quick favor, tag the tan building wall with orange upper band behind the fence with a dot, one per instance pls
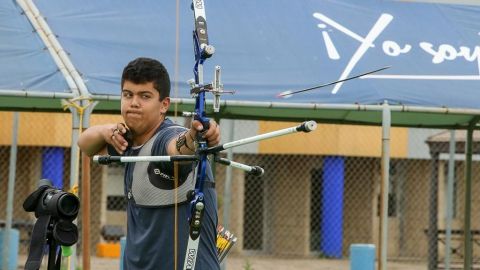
(288, 162)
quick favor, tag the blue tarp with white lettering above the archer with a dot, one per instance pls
(264, 47)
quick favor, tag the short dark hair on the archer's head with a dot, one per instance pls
(145, 70)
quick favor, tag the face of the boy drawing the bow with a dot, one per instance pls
(142, 109)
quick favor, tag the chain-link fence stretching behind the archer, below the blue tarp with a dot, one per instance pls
(320, 192)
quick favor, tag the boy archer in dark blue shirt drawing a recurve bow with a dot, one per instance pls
(155, 196)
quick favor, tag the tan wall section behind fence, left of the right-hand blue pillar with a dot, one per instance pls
(288, 204)
